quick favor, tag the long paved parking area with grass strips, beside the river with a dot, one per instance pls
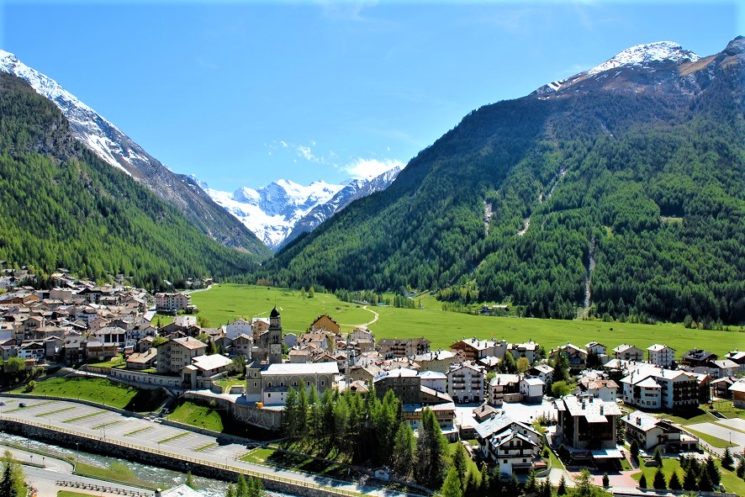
(151, 436)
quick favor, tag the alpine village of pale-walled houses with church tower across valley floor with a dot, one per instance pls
(517, 408)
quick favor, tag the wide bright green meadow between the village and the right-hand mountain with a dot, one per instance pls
(224, 303)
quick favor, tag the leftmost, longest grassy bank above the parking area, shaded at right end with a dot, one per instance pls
(98, 390)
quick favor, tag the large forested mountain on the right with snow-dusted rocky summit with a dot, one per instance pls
(622, 188)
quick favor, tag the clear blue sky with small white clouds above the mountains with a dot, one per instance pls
(242, 93)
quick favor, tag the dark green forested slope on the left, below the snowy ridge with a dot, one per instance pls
(60, 205)
